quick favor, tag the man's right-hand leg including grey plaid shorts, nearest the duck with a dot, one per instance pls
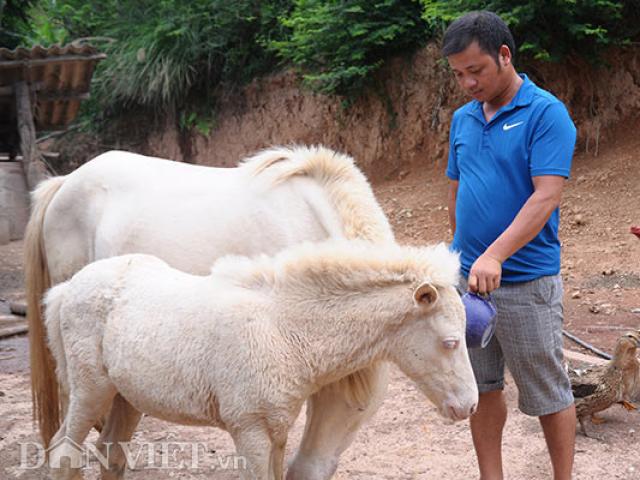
(532, 345)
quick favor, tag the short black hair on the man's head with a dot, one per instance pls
(484, 27)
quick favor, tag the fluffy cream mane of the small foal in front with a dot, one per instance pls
(341, 265)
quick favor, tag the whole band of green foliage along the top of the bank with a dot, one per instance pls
(170, 54)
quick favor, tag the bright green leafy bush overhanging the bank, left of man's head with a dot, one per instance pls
(339, 44)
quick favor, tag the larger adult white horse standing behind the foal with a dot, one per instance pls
(189, 215)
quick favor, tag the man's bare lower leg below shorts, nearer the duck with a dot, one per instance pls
(560, 433)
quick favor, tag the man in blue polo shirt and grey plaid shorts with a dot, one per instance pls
(510, 153)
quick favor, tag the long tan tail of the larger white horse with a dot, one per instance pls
(44, 385)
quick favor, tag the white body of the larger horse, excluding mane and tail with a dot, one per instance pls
(188, 215)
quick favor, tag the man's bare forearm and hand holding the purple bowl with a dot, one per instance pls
(486, 272)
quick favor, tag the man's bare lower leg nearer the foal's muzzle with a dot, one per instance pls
(486, 429)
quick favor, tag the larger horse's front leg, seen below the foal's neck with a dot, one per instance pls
(334, 415)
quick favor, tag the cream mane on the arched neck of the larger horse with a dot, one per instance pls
(347, 188)
